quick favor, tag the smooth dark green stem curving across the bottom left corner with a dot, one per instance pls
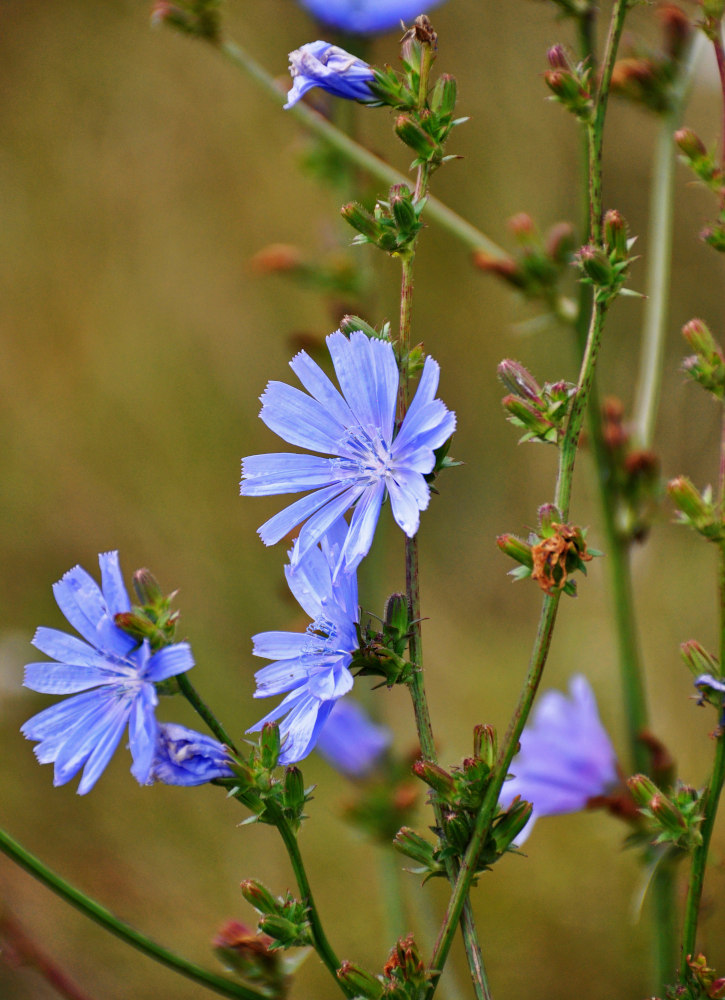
(218, 984)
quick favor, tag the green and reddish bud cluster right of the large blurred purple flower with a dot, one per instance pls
(673, 819)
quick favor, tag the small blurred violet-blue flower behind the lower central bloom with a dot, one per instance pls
(350, 742)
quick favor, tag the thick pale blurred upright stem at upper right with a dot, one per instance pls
(659, 242)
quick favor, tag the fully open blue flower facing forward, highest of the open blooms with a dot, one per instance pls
(356, 427)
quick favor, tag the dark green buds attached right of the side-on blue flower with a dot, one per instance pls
(380, 652)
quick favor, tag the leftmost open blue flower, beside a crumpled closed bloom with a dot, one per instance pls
(115, 672)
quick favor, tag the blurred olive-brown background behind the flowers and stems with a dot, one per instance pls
(139, 174)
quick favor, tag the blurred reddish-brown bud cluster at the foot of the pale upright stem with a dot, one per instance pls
(633, 475)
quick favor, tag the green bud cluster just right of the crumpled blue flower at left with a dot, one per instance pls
(270, 799)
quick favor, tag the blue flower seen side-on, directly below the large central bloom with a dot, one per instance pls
(311, 665)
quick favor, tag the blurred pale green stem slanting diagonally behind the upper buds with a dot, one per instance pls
(471, 237)
